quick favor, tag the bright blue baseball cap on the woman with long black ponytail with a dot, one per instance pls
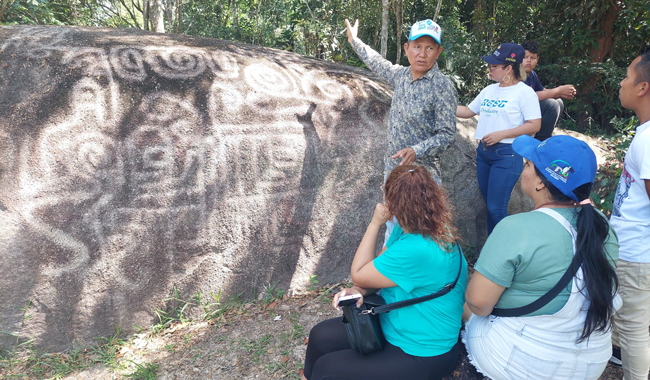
(565, 161)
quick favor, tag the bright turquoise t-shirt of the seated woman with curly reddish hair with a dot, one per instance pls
(420, 267)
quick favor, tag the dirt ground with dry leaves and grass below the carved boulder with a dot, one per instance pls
(247, 340)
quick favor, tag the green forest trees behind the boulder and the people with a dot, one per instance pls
(587, 43)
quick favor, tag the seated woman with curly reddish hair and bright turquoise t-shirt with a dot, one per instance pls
(421, 340)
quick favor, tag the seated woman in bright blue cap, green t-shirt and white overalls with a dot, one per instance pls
(544, 286)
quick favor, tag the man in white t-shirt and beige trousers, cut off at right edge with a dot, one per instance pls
(631, 221)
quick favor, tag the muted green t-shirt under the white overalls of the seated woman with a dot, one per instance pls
(528, 253)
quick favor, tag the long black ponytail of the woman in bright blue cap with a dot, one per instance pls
(599, 275)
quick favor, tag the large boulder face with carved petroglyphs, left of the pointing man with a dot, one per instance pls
(139, 167)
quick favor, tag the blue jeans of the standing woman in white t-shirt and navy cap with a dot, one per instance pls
(497, 169)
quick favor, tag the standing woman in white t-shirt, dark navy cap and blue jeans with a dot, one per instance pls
(506, 109)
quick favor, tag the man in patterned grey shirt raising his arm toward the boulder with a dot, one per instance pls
(422, 119)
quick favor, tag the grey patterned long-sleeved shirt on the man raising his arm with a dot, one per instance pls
(422, 113)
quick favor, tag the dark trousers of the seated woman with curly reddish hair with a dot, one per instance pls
(329, 357)
